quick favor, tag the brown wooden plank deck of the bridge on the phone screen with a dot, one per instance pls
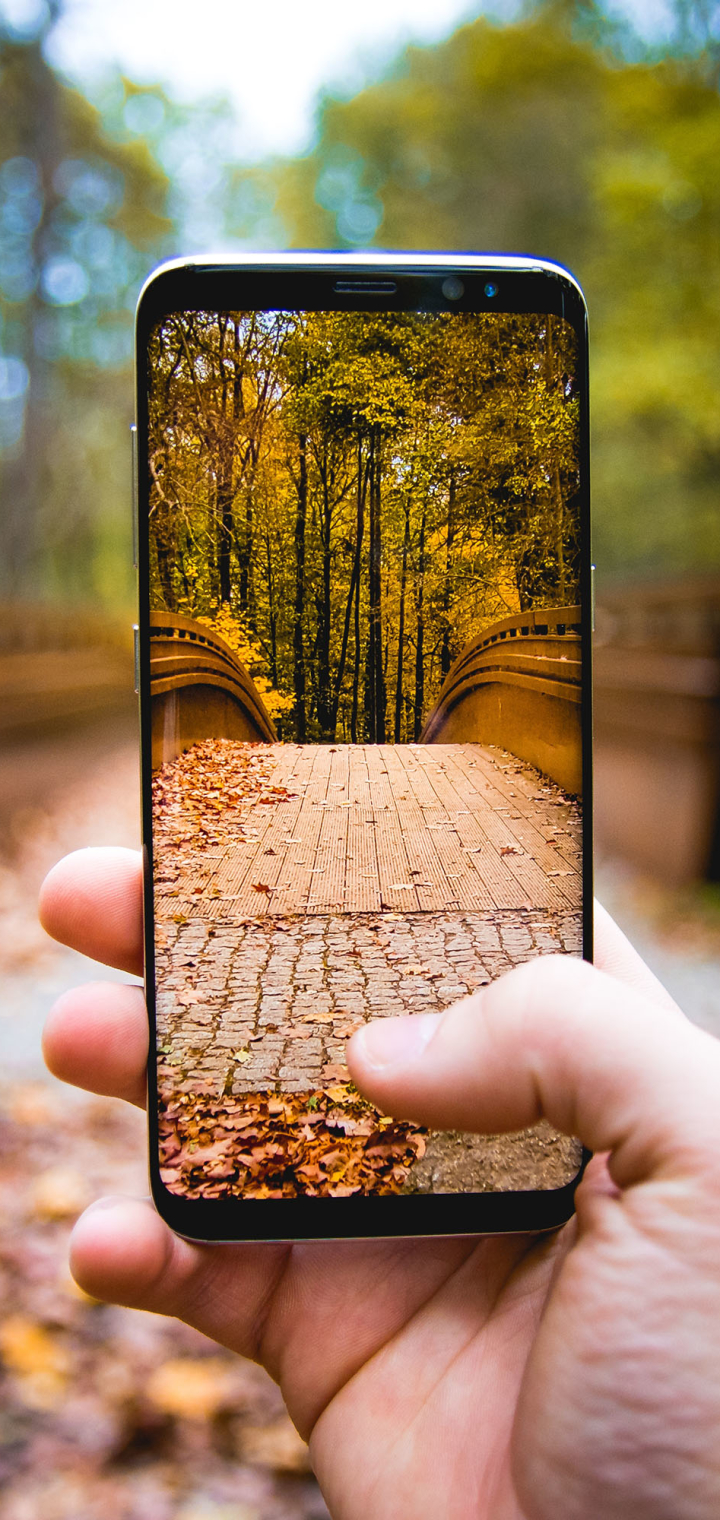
(368, 828)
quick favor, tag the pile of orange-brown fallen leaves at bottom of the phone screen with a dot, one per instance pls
(324, 1144)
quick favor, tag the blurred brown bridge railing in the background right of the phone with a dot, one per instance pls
(657, 717)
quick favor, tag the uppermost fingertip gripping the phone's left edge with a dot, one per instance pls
(93, 902)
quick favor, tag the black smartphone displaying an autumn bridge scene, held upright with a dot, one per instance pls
(364, 653)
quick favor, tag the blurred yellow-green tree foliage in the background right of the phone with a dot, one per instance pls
(540, 138)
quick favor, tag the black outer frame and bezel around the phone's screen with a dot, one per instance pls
(308, 282)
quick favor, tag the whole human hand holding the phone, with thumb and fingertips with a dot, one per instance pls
(558, 1378)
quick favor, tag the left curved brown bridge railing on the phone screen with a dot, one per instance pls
(200, 689)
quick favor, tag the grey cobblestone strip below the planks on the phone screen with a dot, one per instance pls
(262, 1005)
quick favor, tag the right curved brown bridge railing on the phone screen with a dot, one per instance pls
(519, 686)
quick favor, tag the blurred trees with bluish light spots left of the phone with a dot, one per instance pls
(81, 220)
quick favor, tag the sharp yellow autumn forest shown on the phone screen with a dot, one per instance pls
(350, 498)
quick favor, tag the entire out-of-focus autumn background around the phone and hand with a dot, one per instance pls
(134, 133)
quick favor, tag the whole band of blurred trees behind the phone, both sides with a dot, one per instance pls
(560, 135)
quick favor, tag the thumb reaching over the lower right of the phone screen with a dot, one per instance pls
(563, 1042)
